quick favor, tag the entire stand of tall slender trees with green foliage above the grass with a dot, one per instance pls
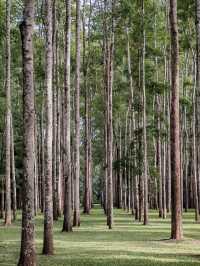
(110, 109)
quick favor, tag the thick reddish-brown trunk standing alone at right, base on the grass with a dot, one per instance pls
(176, 217)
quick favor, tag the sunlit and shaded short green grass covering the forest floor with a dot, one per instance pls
(129, 243)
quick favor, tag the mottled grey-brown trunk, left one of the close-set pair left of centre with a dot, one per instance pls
(67, 224)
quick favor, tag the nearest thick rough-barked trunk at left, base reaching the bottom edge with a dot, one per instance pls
(27, 254)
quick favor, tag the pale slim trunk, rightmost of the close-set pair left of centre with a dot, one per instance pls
(76, 221)
